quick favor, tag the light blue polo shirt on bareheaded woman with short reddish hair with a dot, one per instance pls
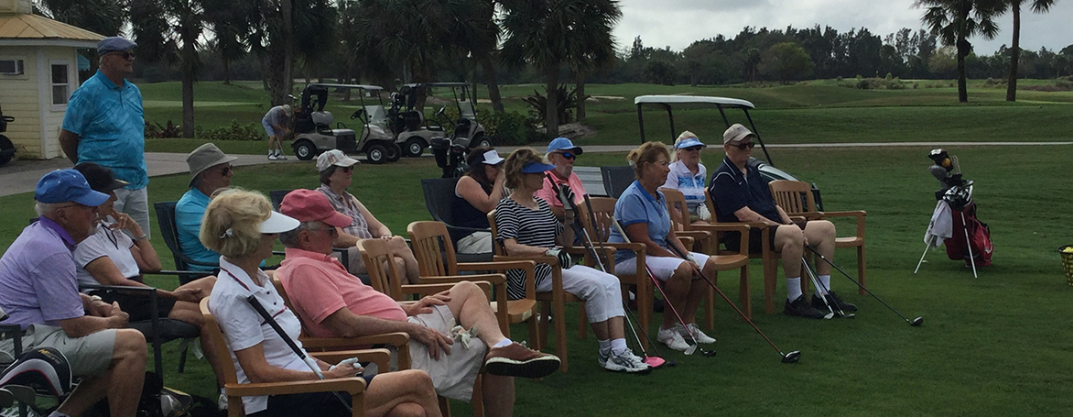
(637, 206)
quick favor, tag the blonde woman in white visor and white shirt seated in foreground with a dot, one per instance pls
(243, 229)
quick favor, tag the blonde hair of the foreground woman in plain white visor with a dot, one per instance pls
(232, 222)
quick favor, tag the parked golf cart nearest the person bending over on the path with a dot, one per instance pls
(314, 133)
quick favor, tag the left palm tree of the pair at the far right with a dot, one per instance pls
(954, 22)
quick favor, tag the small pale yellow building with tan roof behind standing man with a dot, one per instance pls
(39, 71)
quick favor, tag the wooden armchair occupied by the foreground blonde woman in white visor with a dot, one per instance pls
(236, 392)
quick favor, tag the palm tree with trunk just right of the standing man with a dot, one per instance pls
(168, 31)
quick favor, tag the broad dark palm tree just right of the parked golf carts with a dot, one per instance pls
(552, 34)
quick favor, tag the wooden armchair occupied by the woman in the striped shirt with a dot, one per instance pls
(554, 301)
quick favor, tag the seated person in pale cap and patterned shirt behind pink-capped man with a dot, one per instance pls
(336, 172)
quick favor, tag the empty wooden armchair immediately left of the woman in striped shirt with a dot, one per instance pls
(436, 258)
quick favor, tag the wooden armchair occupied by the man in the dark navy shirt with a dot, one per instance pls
(770, 260)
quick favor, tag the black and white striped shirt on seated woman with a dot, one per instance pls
(532, 228)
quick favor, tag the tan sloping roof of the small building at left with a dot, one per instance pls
(35, 31)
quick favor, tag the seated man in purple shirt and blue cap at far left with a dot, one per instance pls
(39, 290)
